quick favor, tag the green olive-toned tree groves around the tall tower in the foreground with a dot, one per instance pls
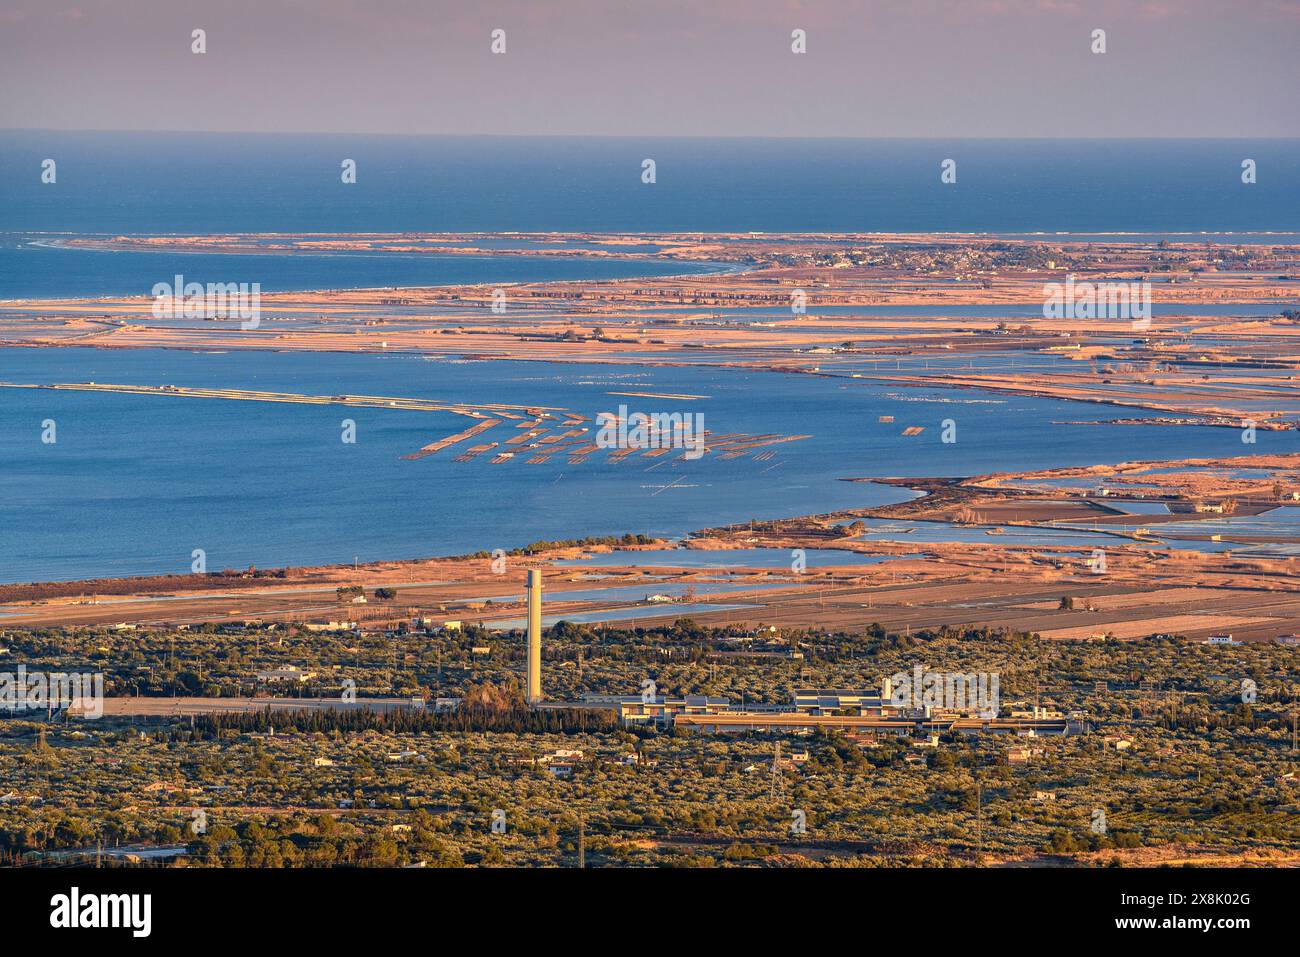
(1207, 774)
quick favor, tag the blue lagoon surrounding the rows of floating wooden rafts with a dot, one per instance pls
(136, 483)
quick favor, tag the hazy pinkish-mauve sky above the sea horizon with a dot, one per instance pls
(904, 68)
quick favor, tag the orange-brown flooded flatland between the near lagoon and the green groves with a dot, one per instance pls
(887, 566)
